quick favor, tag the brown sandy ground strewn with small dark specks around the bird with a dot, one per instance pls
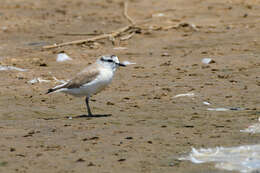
(148, 128)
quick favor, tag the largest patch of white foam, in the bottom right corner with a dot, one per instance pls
(242, 158)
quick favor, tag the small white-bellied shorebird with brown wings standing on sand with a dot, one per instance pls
(91, 80)
